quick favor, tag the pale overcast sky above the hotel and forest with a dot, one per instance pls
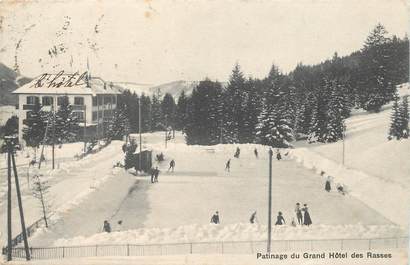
(160, 41)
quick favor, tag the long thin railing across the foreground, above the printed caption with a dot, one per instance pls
(232, 247)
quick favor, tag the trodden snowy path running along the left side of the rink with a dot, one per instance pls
(70, 183)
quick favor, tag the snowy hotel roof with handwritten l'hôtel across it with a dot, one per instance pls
(62, 83)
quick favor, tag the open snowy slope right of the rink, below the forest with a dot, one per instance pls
(376, 170)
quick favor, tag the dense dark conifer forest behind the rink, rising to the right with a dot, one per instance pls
(311, 102)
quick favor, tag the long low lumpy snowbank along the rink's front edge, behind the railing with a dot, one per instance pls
(232, 232)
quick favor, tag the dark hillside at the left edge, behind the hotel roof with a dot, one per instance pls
(9, 81)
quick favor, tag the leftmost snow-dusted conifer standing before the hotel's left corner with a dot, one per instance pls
(35, 127)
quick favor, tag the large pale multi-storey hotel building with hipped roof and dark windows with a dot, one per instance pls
(92, 99)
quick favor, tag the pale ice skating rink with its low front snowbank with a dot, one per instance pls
(179, 207)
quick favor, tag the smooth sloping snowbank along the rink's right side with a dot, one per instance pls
(388, 198)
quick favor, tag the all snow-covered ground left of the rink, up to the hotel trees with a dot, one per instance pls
(71, 182)
